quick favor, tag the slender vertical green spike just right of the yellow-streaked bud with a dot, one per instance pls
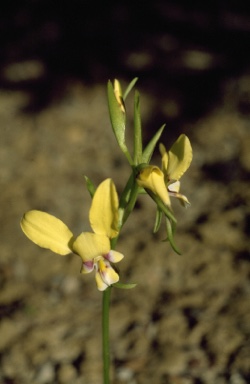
(137, 130)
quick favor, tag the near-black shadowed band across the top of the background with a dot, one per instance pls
(96, 40)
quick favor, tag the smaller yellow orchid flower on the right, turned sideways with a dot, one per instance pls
(165, 182)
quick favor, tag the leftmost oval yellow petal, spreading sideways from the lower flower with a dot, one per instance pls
(47, 231)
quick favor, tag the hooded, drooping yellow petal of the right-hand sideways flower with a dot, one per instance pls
(152, 178)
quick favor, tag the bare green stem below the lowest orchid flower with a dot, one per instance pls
(105, 335)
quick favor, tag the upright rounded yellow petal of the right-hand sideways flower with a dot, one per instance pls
(179, 158)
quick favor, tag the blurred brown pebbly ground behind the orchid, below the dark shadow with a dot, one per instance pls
(188, 320)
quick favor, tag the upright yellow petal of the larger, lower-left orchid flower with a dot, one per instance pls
(103, 214)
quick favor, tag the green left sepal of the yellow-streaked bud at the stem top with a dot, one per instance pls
(118, 120)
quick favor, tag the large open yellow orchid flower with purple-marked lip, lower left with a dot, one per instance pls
(94, 248)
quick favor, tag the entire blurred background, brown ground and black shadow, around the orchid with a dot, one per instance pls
(187, 322)
